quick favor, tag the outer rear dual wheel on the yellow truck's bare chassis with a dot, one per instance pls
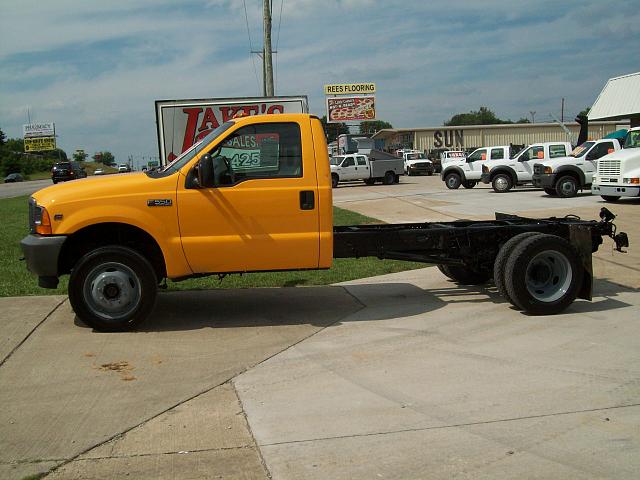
(543, 274)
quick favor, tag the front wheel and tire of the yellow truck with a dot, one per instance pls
(113, 288)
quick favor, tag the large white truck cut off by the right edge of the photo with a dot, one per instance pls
(618, 174)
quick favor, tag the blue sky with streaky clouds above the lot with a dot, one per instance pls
(96, 68)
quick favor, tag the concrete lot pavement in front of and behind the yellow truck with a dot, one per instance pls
(402, 376)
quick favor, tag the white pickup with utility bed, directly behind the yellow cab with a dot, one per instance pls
(359, 167)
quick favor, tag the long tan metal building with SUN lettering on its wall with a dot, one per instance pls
(469, 137)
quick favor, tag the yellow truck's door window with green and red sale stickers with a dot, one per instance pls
(264, 150)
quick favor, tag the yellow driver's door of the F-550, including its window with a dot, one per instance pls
(262, 213)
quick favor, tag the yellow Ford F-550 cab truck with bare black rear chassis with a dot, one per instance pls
(255, 195)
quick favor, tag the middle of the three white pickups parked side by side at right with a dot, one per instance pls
(503, 175)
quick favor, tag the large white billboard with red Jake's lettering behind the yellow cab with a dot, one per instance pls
(181, 123)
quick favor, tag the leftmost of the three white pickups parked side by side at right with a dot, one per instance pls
(467, 171)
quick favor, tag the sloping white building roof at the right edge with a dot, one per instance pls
(620, 98)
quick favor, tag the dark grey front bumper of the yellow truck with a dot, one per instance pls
(42, 254)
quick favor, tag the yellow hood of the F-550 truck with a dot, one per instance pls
(94, 188)
